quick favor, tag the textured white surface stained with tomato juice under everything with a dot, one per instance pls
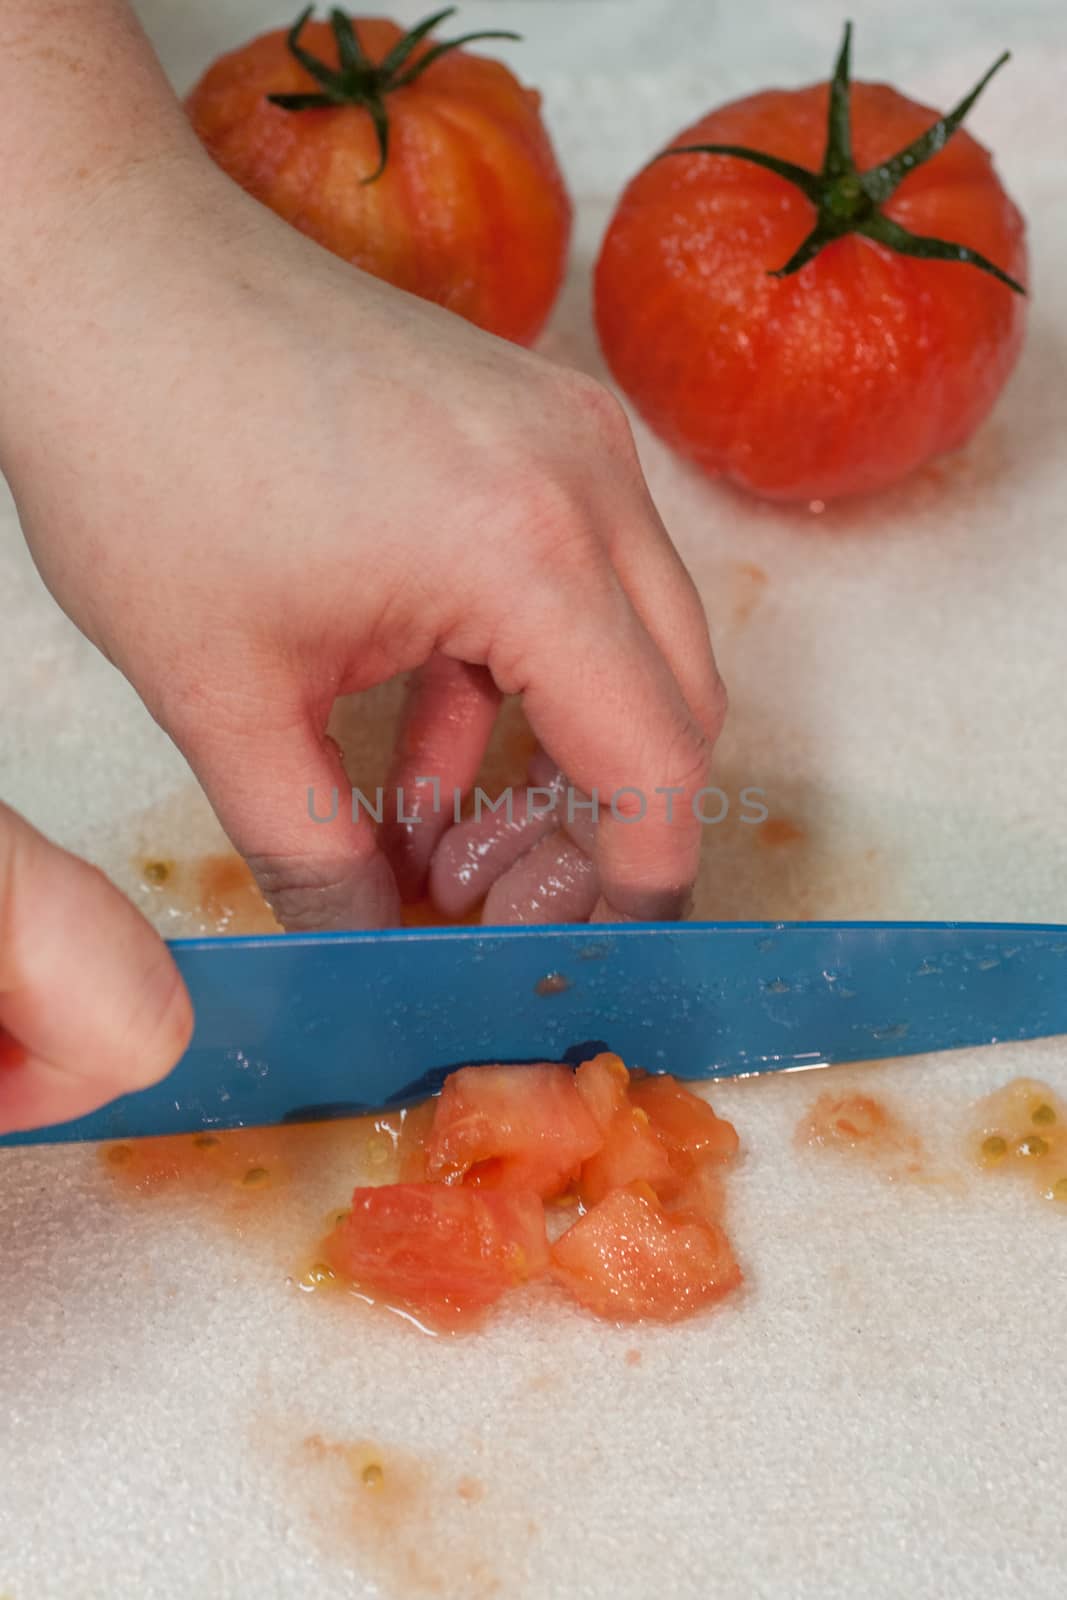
(884, 1412)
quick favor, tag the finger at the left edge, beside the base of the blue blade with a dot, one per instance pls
(92, 1004)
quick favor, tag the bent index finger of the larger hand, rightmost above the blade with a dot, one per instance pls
(613, 716)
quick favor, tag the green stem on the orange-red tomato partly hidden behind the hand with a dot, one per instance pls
(358, 81)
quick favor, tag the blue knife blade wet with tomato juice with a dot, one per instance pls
(305, 1026)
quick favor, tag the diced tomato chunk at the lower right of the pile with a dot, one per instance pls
(628, 1260)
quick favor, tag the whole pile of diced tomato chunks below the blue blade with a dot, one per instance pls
(641, 1161)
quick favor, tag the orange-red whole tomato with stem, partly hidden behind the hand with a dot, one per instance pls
(415, 161)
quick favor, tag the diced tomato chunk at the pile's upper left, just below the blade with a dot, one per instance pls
(513, 1129)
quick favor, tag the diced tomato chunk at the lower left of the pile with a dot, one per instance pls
(442, 1252)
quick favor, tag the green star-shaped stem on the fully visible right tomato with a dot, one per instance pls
(849, 201)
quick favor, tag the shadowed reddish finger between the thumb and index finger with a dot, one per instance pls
(446, 729)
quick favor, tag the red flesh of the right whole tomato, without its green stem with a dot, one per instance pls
(844, 377)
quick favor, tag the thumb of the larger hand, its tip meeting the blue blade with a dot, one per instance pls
(282, 796)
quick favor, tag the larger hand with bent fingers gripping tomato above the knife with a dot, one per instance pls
(260, 479)
